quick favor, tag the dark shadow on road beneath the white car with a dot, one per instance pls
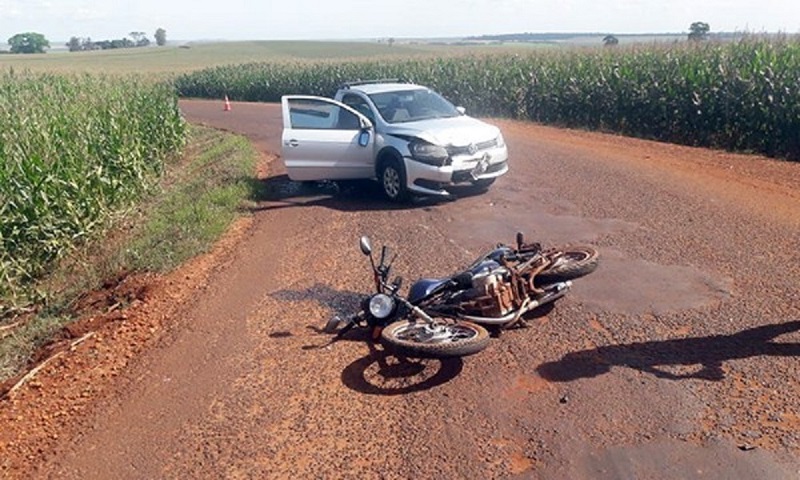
(353, 195)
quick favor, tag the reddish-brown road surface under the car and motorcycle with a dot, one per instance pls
(678, 358)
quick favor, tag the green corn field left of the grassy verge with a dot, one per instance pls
(72, 150)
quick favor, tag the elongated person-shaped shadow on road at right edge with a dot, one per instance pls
(656, 357)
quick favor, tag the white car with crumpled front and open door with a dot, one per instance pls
(406, 136)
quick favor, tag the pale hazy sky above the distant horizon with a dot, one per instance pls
(346, 19)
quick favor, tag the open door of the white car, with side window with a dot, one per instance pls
(325, 140)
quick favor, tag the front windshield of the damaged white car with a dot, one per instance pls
(412, 106)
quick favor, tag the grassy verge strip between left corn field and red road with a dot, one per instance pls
(197, 199)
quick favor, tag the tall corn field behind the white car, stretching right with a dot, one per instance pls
(742, 96)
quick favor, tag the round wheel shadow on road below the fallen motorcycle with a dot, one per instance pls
(381, 373)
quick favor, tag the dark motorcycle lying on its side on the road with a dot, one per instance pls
(445, 317)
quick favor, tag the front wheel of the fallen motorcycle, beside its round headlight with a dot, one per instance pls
(421, 340)
